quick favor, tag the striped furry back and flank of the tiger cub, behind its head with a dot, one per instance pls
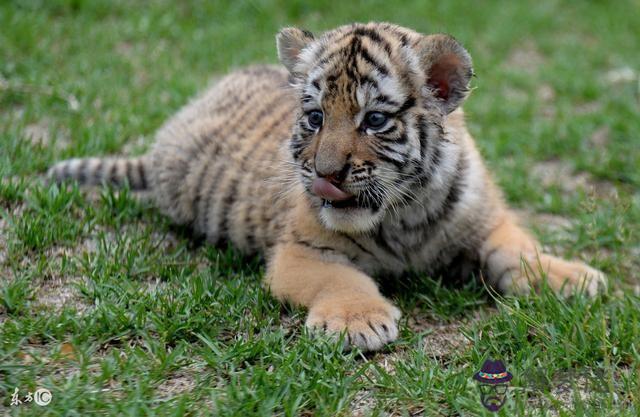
(217, 163)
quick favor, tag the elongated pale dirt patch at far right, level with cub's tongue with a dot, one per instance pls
(560, 174)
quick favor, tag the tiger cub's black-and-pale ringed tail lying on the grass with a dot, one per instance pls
(95, 171)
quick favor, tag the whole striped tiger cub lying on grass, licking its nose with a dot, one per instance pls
(352, 161)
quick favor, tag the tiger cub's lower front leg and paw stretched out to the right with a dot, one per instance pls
(514, 263)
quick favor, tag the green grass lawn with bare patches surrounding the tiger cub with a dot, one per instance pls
(158, 324)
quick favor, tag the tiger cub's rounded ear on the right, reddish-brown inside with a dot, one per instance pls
(448, 69)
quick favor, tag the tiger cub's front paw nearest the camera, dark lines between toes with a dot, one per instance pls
(370, 322)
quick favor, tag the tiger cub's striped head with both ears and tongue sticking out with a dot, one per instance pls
(373, 97)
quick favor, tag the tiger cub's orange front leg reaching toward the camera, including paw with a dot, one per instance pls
(338, 296)
